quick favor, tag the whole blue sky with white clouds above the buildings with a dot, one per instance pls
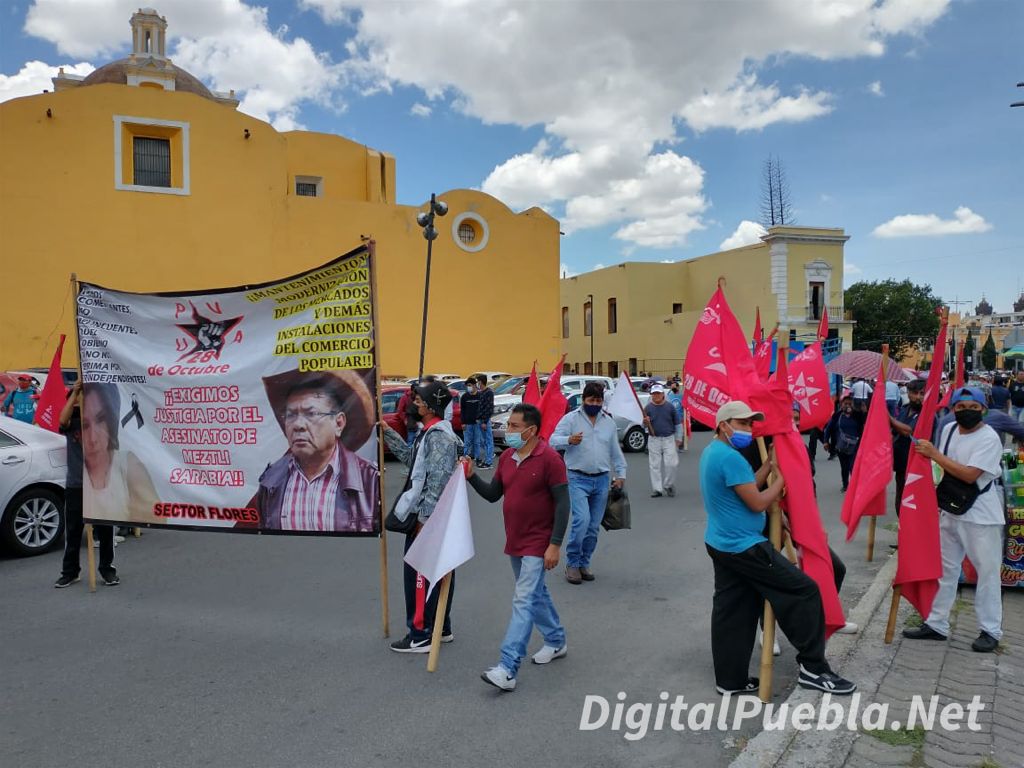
(643, 126)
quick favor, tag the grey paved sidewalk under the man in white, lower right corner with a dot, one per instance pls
(955, 673)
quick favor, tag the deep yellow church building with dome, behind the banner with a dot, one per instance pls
(140, 179)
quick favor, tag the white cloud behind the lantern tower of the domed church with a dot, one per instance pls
(227, 44)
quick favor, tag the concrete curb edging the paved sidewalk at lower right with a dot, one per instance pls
(864, 658)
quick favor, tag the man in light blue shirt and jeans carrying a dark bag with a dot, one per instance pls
(590, 440)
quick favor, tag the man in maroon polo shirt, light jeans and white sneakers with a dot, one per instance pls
(532, 478)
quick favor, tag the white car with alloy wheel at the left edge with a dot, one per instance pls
(33, 472)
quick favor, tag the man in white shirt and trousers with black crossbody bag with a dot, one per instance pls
(969, 451)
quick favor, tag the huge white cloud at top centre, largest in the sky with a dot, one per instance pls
(612, 84)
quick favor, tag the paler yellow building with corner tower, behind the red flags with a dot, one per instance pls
(644, 315)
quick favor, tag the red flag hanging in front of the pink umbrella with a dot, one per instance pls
(874, 467)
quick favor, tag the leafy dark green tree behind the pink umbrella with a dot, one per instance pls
(900, 314)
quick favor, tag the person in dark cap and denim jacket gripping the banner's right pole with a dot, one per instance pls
(432, 460)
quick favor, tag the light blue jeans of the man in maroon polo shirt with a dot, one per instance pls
(532, 607)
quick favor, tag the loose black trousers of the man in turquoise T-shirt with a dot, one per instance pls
(743, 582)
